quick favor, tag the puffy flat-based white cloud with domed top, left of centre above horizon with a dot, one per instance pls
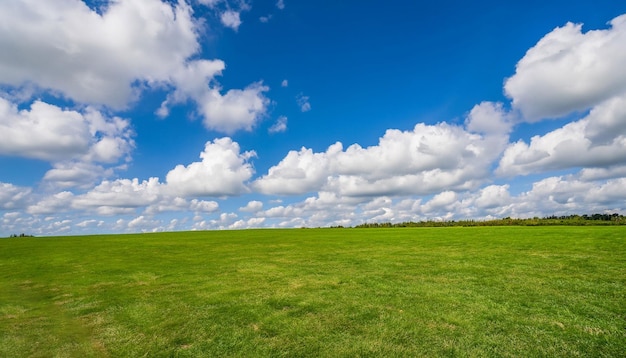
(223, 171)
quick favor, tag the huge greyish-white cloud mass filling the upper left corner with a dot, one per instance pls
(108, 58)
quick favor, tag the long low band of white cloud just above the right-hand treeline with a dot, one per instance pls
(551, 196)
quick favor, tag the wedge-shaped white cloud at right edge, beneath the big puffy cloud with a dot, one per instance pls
(598, 140)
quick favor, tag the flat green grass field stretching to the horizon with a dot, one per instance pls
(498, 291)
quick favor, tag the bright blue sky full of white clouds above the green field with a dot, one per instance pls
(154, 115)
